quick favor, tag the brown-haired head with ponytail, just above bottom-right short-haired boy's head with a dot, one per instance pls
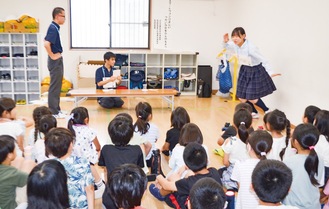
(260, 142)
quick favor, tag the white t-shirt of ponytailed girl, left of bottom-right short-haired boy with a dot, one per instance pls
(242, 171)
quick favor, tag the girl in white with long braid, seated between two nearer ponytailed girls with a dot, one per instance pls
(276, 123)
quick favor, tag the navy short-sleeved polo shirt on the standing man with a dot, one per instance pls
(54, 38)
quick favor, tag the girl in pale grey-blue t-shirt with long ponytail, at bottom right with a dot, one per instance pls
(307, 169)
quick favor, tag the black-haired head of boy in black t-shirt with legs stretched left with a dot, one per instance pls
(195, 156)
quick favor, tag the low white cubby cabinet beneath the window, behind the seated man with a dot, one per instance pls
(162, 70)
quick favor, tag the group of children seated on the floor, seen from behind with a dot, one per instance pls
(286, 169)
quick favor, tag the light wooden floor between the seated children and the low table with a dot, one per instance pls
(210, 114)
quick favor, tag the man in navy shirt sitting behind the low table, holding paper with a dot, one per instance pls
(105, 79)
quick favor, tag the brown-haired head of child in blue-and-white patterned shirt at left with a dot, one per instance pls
(59, 142)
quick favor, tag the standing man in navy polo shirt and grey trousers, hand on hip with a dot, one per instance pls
(55, 61)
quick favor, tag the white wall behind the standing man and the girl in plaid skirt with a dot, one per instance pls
(292, 35)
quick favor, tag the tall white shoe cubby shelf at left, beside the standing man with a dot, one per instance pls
(19, 67)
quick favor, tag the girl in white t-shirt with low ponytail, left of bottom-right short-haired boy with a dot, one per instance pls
(259, 143)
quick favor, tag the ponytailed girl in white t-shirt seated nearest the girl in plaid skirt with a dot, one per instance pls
(235, 147)
